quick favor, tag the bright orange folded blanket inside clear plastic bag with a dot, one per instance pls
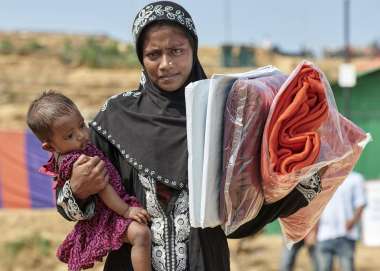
(293, 139)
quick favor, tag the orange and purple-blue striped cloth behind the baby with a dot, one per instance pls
(21, 185)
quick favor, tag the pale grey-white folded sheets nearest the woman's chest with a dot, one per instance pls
(205, 107)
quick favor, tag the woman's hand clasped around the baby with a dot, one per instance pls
(89, 176)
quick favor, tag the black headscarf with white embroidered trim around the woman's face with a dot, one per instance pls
(148, 126)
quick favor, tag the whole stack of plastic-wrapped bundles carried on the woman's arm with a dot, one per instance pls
(278, 132)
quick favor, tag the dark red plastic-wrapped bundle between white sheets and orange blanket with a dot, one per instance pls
(246, 111)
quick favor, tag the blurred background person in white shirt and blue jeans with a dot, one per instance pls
(338, 227)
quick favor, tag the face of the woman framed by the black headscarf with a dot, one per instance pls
(167, 57)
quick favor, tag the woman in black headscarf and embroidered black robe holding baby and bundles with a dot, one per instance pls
(143, 132)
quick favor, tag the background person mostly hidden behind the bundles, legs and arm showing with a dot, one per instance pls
(290, 254)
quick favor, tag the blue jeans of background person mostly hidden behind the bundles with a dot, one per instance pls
(289, 257)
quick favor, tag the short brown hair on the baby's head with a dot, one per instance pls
(46, 109)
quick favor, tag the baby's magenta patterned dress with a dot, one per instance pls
(91, 239)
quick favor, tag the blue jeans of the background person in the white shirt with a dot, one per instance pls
(342, 247)
